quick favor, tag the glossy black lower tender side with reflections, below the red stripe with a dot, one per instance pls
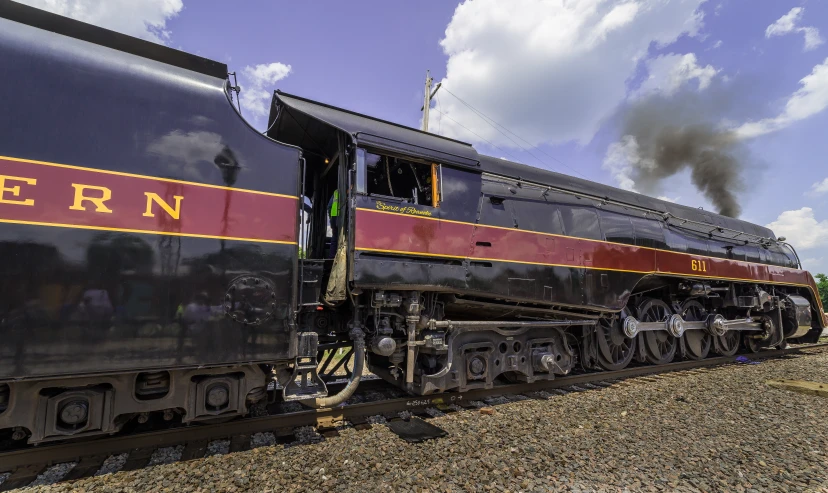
(130, 303)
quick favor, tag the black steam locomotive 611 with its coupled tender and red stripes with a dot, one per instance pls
(162, 257)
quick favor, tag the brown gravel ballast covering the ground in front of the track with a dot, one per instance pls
(716, 430)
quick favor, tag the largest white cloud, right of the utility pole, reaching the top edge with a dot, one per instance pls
(548, 70)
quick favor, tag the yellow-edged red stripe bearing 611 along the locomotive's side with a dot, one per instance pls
(402, 233)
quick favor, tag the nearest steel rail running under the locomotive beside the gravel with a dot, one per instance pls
(70, 452)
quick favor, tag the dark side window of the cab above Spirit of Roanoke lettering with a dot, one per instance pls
(399, 178)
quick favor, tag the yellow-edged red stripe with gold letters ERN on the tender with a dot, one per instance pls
(57, 195)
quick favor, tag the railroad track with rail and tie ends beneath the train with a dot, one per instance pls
(25, 464)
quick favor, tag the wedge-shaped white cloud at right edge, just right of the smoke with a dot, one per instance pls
(810, 99)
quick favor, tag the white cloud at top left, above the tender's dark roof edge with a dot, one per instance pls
(145, 19)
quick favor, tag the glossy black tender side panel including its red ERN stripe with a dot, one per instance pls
(83, 290)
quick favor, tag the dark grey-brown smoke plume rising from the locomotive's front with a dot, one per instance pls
(662, 137)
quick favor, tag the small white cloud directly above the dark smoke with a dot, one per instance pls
(669, 73)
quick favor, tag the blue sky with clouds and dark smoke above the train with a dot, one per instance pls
(591, 88)
